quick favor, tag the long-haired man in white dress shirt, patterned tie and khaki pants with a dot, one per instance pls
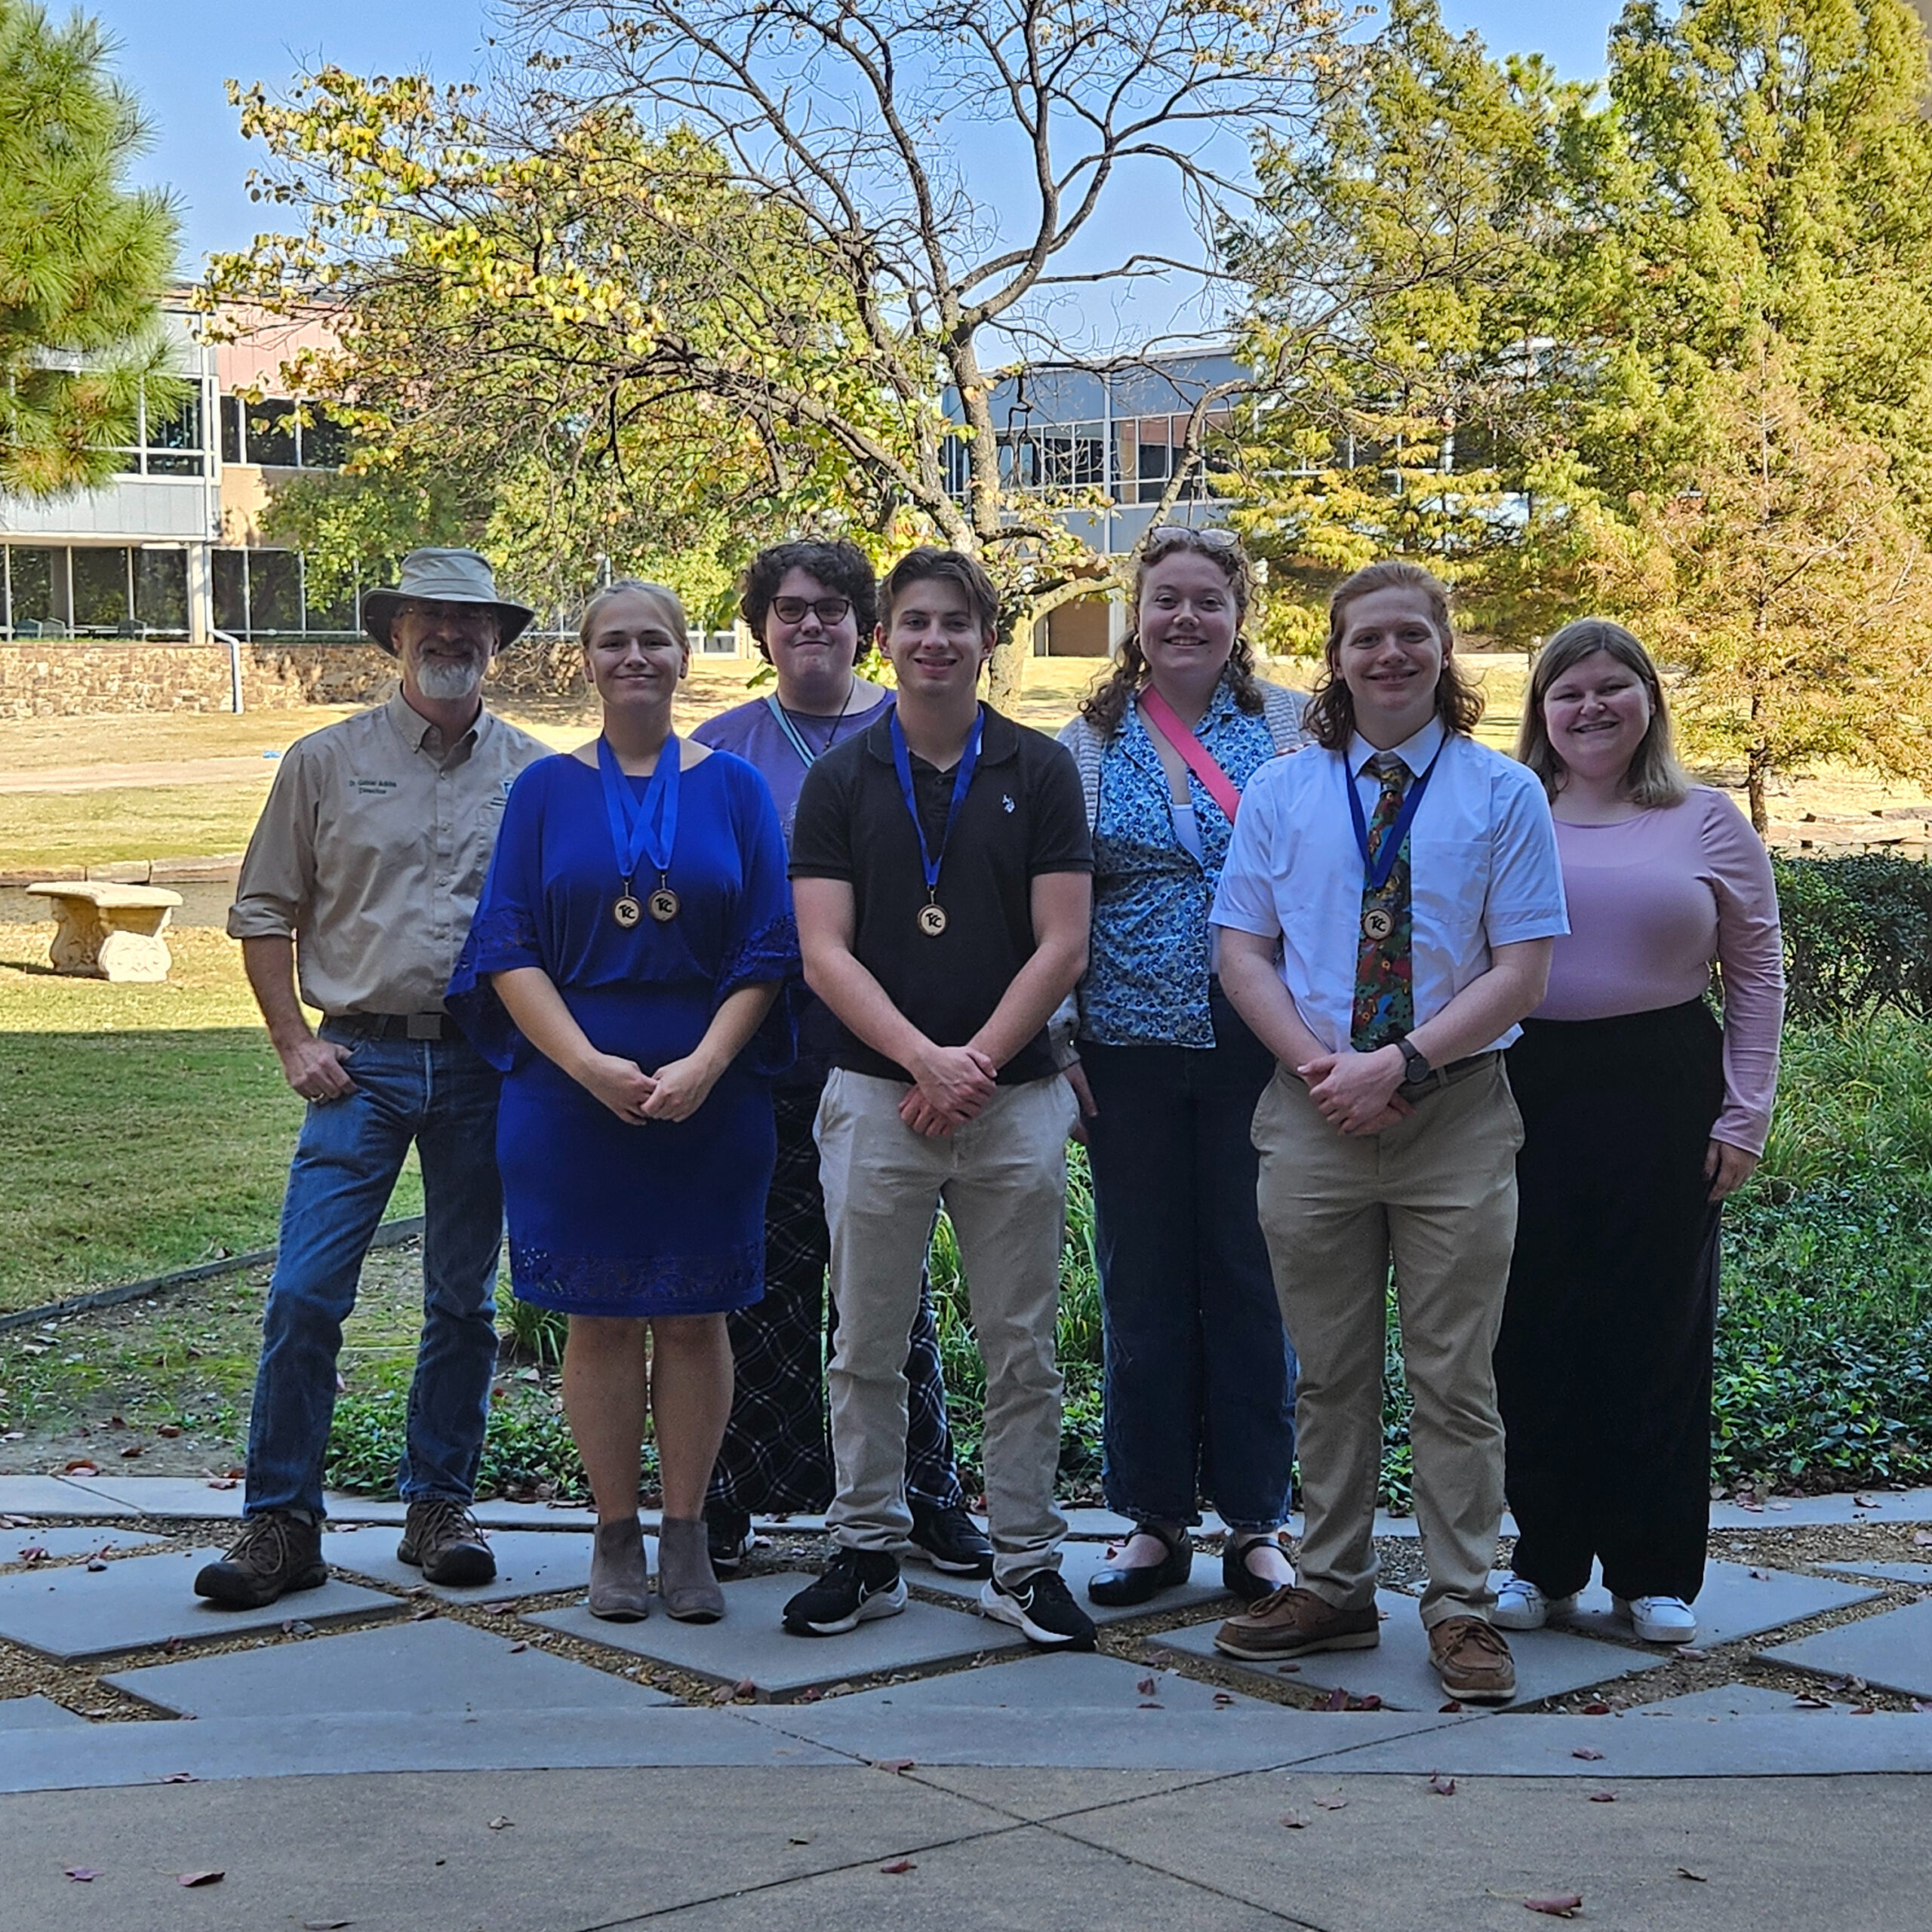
(1388, 911)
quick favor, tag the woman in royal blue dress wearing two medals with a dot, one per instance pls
(637, 930)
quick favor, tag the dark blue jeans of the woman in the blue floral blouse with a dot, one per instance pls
(1201, 1375)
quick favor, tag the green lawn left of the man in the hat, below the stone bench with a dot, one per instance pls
(142, 1127)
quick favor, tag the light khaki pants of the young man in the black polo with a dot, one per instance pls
(1004, 1181)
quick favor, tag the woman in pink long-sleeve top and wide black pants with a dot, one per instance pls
(1641, 1114)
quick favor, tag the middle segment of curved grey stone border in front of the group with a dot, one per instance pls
(1234, 1740)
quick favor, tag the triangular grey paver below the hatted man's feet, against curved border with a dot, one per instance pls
(440, 1666)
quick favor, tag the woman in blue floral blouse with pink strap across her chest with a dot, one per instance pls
(1201, 1377)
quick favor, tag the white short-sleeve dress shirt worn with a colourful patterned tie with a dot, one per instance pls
(1483, 859)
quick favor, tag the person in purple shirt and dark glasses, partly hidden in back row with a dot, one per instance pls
(810, 606)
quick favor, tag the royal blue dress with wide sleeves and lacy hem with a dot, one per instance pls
(606, 1218)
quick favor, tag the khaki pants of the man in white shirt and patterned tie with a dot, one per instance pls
(1435, 1195)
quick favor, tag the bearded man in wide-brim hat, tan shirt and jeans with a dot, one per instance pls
(358, 888)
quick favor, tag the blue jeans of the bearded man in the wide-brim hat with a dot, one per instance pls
(443, 1096)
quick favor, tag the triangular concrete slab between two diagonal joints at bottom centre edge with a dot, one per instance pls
(988, 1887)
